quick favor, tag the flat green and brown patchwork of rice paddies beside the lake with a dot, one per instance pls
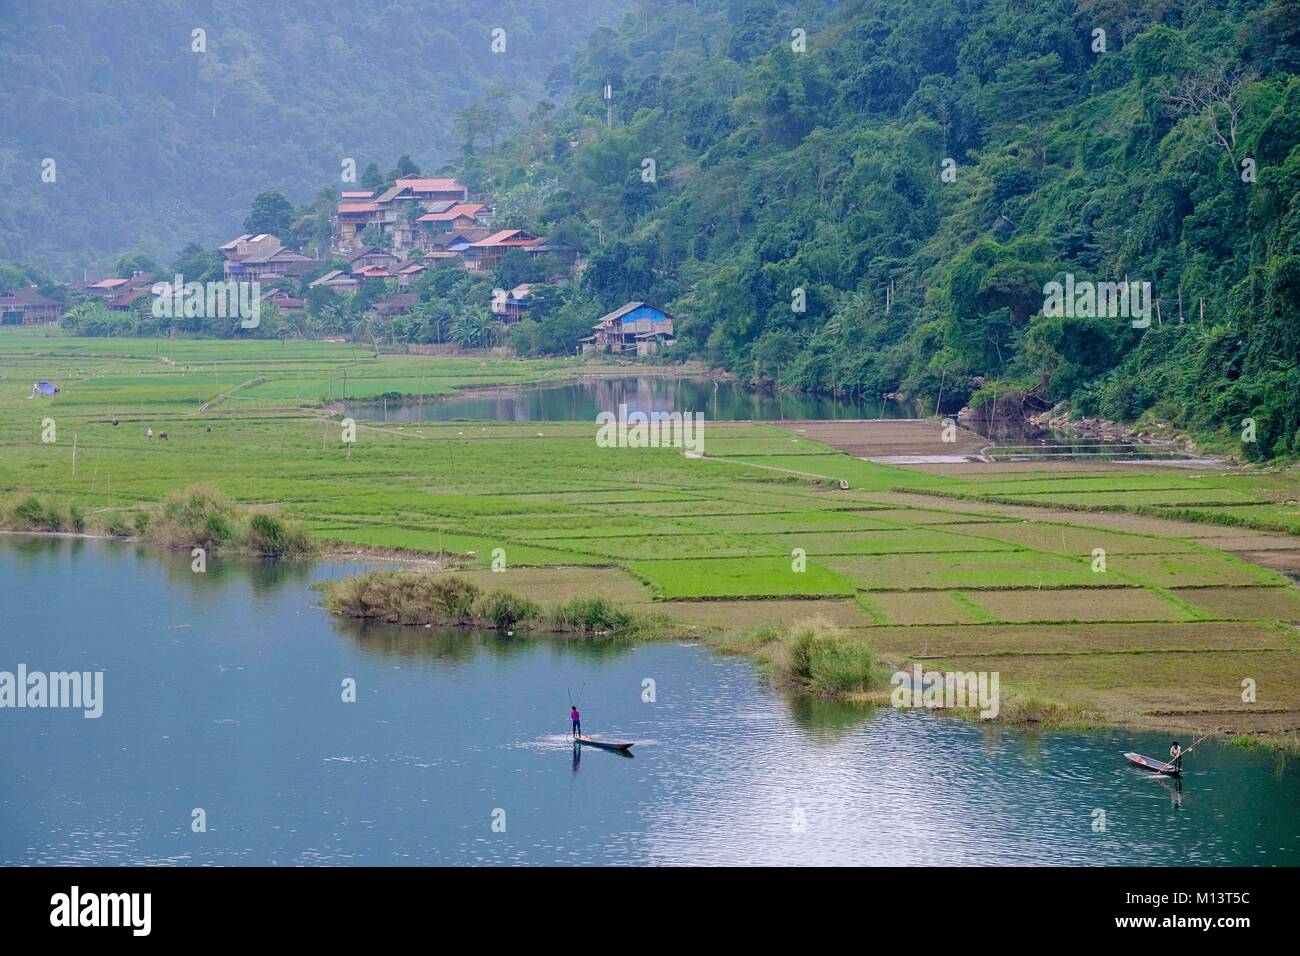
(1125, 594)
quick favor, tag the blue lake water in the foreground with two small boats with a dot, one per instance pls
(223, 691)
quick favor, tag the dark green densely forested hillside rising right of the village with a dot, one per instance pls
(787, 198)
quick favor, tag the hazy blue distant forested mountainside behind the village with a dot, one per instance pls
(158, 144)
